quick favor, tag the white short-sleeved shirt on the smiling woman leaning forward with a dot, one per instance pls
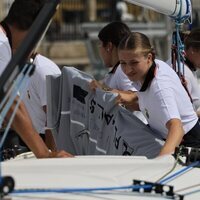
(166, 99)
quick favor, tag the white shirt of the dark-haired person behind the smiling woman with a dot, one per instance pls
(118, 80)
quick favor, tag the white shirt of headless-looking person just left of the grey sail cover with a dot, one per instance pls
(35, 95)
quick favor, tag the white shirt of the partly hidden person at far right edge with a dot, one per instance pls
(192, 85)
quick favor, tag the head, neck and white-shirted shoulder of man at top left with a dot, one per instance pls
(15, 27)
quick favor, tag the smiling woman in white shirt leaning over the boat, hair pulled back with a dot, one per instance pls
(162, 98)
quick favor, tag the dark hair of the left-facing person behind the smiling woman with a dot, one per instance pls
(113, 32)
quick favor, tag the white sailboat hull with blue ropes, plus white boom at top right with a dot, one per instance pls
(109, 176)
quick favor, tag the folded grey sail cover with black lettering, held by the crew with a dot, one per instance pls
(85, 122)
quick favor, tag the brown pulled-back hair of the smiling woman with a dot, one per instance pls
(138, 42)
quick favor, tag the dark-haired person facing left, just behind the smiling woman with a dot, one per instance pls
(116, 81)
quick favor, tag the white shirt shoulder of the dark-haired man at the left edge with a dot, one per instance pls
(5, 50)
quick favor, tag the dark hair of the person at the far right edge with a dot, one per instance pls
(193, 40)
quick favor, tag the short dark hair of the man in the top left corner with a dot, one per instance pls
(22, 13)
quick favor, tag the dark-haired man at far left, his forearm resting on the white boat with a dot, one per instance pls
(13, 29)
